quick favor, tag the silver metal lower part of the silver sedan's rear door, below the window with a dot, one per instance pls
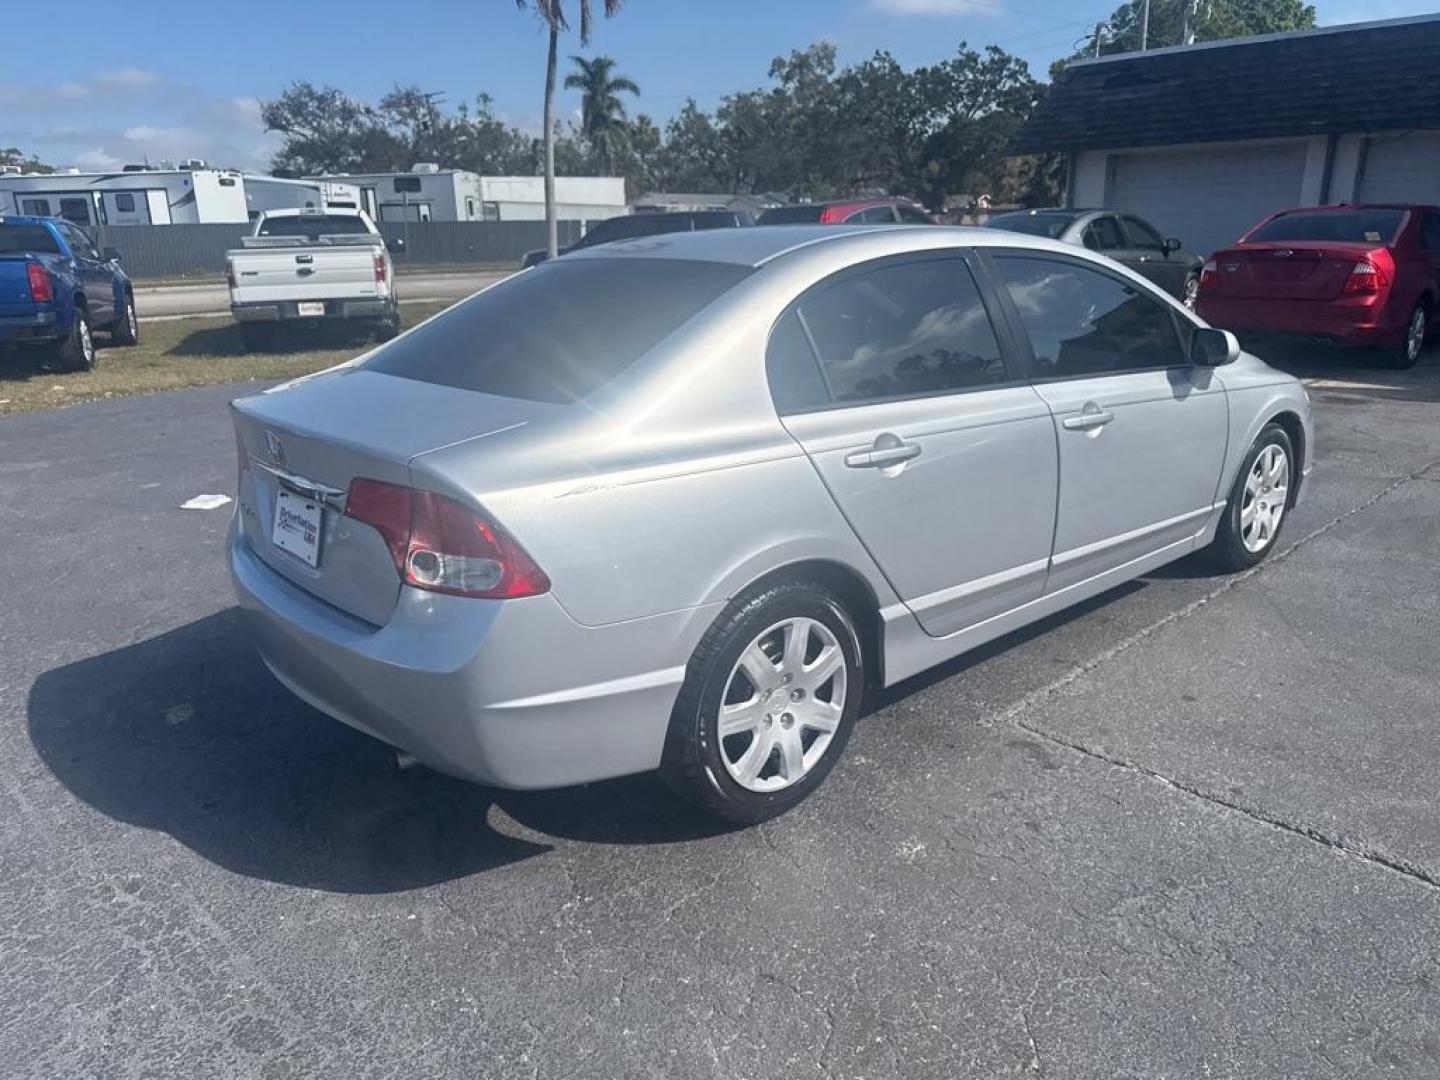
(963, 529)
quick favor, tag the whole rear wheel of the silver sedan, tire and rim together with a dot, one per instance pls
(768, 703)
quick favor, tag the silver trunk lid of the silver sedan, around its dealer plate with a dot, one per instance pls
(312, 438)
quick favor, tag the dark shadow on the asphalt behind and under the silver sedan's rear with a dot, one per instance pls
(189, 734)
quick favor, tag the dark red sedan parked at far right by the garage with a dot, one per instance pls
(1349, 276)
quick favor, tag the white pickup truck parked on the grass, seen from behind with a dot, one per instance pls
(306, 267)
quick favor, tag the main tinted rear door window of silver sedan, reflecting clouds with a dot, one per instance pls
(904, 330)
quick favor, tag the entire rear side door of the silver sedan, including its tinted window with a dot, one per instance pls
(892, 379)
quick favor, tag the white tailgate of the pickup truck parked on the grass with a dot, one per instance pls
(306, 273)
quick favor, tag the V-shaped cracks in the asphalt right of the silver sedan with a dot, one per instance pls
(1014, 714)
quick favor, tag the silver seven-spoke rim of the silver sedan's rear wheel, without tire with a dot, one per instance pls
(783, 705)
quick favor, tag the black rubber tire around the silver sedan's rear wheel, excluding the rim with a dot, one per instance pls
(692, 762)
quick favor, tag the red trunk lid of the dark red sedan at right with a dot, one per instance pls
(1295, 270)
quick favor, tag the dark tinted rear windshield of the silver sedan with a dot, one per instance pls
(559, 332)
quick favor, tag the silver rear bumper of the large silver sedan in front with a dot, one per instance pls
(510, 693)
